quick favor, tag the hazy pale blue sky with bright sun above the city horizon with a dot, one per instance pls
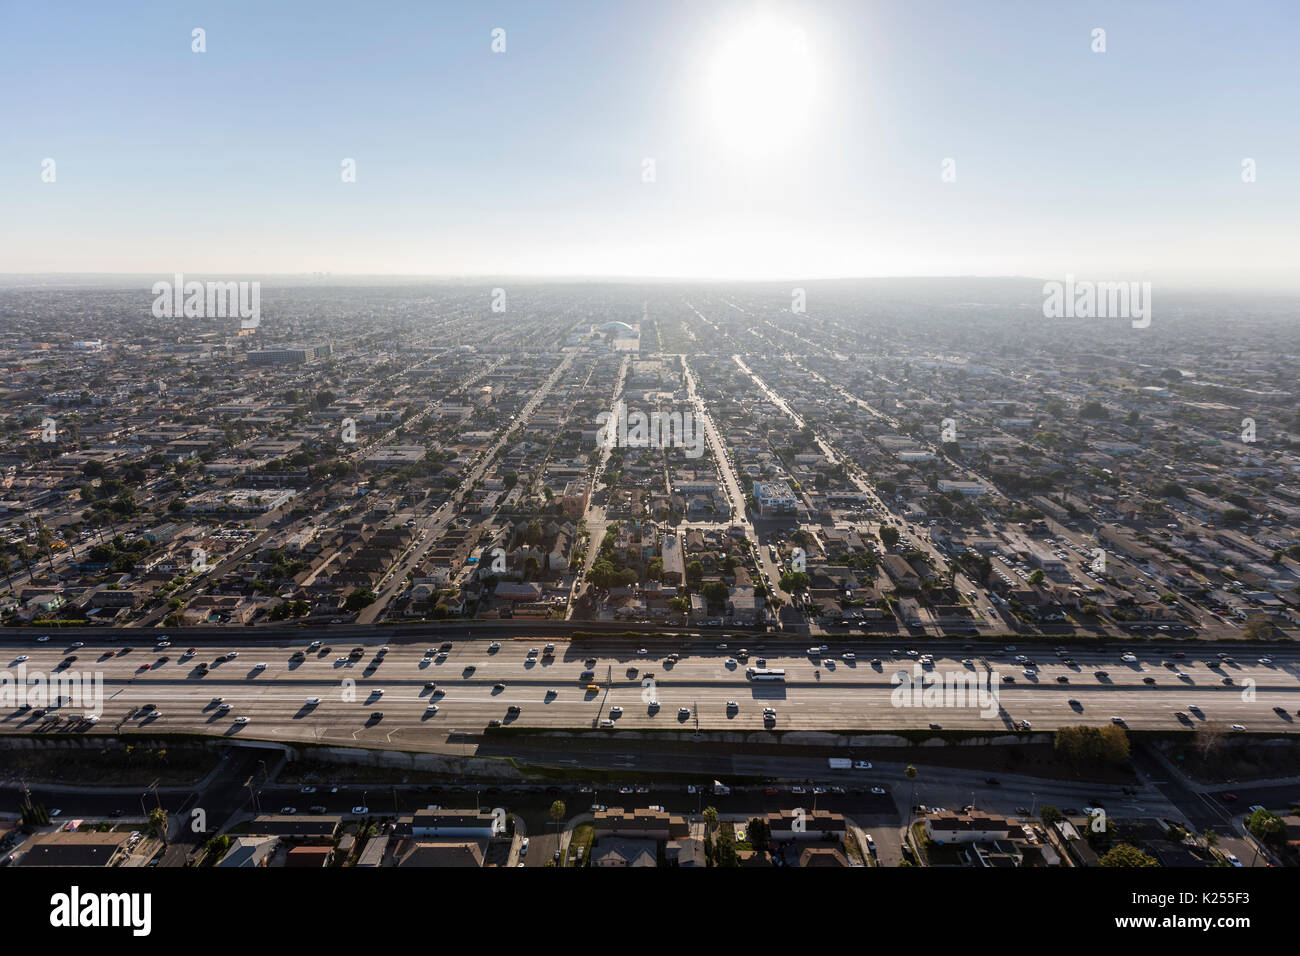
(695, 139)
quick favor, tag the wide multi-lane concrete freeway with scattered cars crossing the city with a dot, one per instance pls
(474, 684)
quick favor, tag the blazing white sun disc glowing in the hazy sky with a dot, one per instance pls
(760, 86)
